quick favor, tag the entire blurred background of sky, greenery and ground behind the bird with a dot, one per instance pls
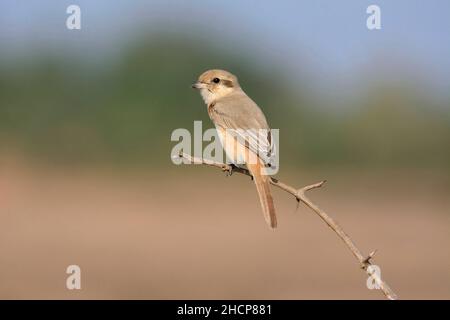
(86, 176)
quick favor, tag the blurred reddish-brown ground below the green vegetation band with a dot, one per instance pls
(191, 233)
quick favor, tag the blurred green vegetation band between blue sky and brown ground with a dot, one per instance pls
(57, 110)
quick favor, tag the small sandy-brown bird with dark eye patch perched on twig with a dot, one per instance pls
(243, 131)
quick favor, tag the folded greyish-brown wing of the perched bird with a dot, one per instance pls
(243, 118)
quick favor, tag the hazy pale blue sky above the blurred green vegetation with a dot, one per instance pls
(330, 35)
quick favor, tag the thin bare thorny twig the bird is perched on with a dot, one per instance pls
(299, 194)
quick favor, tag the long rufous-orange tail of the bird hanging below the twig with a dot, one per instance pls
(262, 183)
